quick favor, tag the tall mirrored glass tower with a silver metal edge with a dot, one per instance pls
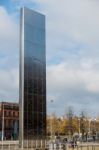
(32, 91)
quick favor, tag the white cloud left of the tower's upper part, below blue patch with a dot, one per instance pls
(8, 33)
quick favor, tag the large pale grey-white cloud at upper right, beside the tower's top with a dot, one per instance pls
(71, 23)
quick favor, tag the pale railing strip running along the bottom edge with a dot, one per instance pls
(46, 145)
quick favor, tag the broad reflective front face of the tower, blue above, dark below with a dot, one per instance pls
(34, 78)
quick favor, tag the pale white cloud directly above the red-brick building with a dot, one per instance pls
(9, 85)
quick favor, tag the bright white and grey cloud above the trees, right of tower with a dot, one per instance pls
(73, 86)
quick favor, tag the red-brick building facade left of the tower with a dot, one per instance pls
(9, 121)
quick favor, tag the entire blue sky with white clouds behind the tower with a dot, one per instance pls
(72, 48)
